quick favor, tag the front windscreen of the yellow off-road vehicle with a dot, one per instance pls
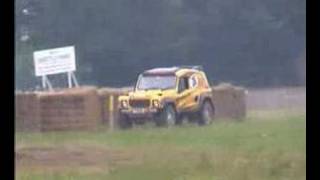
(147, 82)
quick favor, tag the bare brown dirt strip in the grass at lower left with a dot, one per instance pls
(58, 158)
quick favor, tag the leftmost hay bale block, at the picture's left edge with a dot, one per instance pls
(27, 111)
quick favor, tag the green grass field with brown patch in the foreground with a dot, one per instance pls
(266, 145)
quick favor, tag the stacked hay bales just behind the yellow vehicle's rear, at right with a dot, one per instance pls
(229, 101)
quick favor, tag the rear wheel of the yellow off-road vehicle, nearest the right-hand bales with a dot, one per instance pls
(206, 113)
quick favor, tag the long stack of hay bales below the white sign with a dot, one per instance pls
(67, 109)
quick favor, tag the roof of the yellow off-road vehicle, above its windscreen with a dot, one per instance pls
(178, 71)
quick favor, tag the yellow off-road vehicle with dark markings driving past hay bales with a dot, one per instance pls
(168, 96)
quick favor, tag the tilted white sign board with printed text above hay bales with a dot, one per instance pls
(54, 61)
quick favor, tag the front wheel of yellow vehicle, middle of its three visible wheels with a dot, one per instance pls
(167, 117)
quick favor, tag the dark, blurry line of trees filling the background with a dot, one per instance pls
(252, 43)
